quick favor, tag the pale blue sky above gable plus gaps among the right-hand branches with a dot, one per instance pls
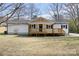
(44, 8)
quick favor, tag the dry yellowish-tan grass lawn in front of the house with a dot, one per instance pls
(45, 46)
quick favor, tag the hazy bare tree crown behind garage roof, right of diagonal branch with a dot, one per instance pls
(29, 10)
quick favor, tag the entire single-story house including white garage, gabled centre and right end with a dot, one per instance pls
(37, 26)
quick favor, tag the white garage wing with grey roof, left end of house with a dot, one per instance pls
(17, 26)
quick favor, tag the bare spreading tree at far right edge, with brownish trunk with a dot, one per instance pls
(72, 10)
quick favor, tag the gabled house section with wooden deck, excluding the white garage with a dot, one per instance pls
(43, 26)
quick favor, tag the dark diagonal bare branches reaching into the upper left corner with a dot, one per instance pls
(10, 11)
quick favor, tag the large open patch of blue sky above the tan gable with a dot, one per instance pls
(43, 9)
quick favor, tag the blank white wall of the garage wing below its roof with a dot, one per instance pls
(18, 29)
